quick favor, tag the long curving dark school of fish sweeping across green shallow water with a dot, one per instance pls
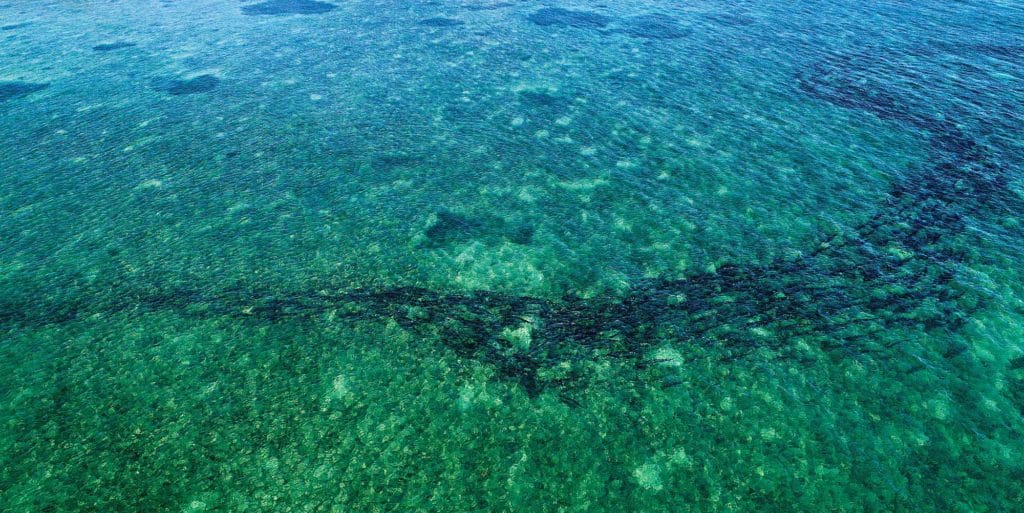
(901, 269)
